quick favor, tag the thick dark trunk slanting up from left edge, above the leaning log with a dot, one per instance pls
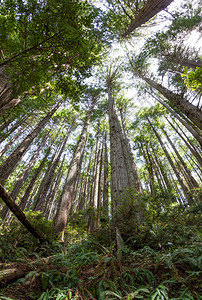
(11, 162)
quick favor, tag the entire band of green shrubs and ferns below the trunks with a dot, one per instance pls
(160, 259)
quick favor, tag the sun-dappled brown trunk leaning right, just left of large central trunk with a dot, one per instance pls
(66, 199)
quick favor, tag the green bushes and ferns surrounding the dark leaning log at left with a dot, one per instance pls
(17, 243)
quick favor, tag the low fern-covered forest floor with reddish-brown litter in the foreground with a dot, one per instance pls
(85, 274)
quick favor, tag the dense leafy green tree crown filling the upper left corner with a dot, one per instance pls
(42, 41)
